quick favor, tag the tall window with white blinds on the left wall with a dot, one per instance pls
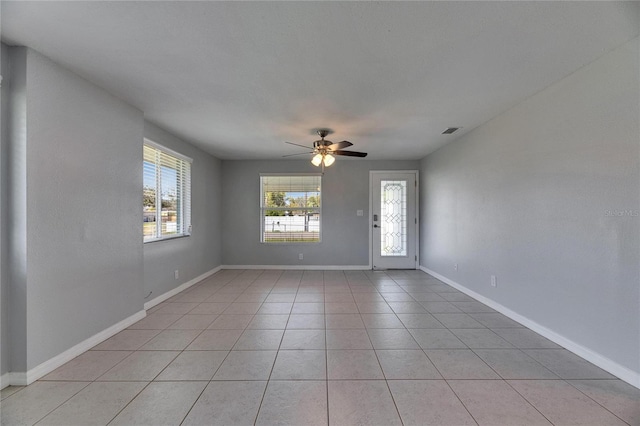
(166, 194)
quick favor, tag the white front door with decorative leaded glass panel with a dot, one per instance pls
(394, 219)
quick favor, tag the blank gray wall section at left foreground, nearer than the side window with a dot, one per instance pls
(79, 170)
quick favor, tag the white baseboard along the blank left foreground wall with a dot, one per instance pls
(28, 377)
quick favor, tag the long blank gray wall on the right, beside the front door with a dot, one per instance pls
(527, 197)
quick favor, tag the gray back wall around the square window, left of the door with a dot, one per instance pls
(345, 236)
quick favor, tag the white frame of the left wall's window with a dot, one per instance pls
(185, 194)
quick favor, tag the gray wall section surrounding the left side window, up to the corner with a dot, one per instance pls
(201, 252)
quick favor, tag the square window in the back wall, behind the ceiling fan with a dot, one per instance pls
(290, 208)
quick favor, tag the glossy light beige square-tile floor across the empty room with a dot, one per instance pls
(316, 347)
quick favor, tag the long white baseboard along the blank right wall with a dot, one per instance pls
(624, 373)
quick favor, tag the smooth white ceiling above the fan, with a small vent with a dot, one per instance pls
(239, 78)
